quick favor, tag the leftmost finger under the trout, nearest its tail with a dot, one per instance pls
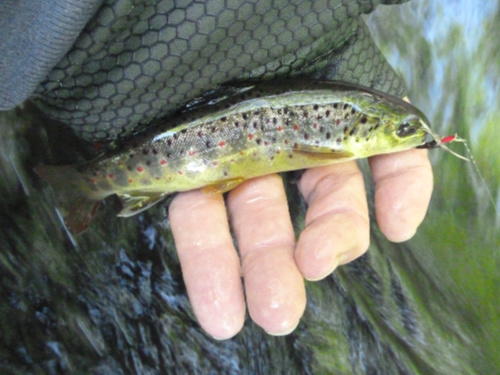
(210, 264)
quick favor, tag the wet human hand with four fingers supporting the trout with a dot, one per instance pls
(272, 265)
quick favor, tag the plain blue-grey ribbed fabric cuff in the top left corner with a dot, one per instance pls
(34, 36)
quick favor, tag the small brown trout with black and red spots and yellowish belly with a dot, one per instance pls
(264, 128)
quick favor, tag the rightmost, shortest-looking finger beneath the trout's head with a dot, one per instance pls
(403, 188)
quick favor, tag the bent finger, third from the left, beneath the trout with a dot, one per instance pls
(337, 223)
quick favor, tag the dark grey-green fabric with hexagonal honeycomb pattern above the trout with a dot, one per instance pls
(136, 61)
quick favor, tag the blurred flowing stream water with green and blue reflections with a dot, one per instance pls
(113, 302)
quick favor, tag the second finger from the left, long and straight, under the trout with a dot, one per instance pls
(274, 287)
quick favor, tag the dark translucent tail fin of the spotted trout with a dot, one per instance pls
(74, 199)
